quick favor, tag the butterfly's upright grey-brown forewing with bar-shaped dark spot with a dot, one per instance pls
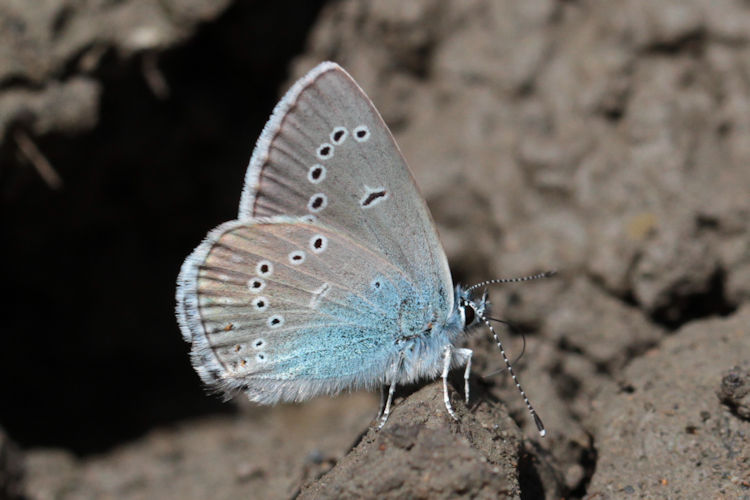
(327, 155)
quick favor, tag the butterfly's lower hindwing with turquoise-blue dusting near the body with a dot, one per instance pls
(284, 310)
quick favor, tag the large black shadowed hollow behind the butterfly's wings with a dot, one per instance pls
(92, 353)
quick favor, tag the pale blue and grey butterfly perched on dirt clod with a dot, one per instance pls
(332, 277)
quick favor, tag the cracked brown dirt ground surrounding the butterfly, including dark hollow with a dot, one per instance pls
(607, 140)
